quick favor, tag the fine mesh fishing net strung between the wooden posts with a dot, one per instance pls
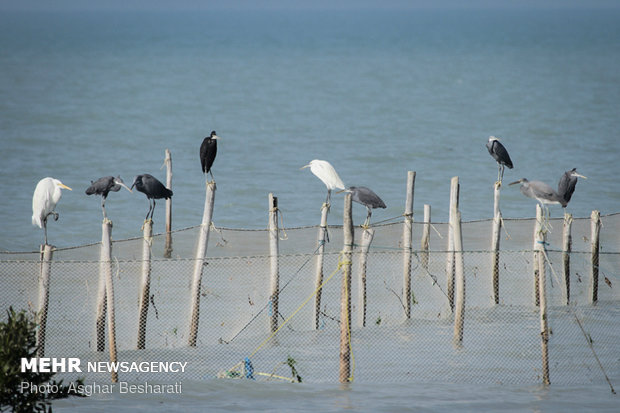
(501, 342)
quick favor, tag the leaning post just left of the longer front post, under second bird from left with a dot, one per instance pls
(105, 262)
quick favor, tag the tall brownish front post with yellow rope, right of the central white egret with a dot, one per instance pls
(345, 294)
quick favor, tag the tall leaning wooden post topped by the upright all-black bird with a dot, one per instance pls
(201, 250)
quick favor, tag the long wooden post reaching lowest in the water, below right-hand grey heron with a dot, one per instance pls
(542, 295)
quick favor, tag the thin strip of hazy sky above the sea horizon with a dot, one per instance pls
(294, 4)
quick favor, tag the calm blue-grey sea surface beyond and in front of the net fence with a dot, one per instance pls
(375, 93)
